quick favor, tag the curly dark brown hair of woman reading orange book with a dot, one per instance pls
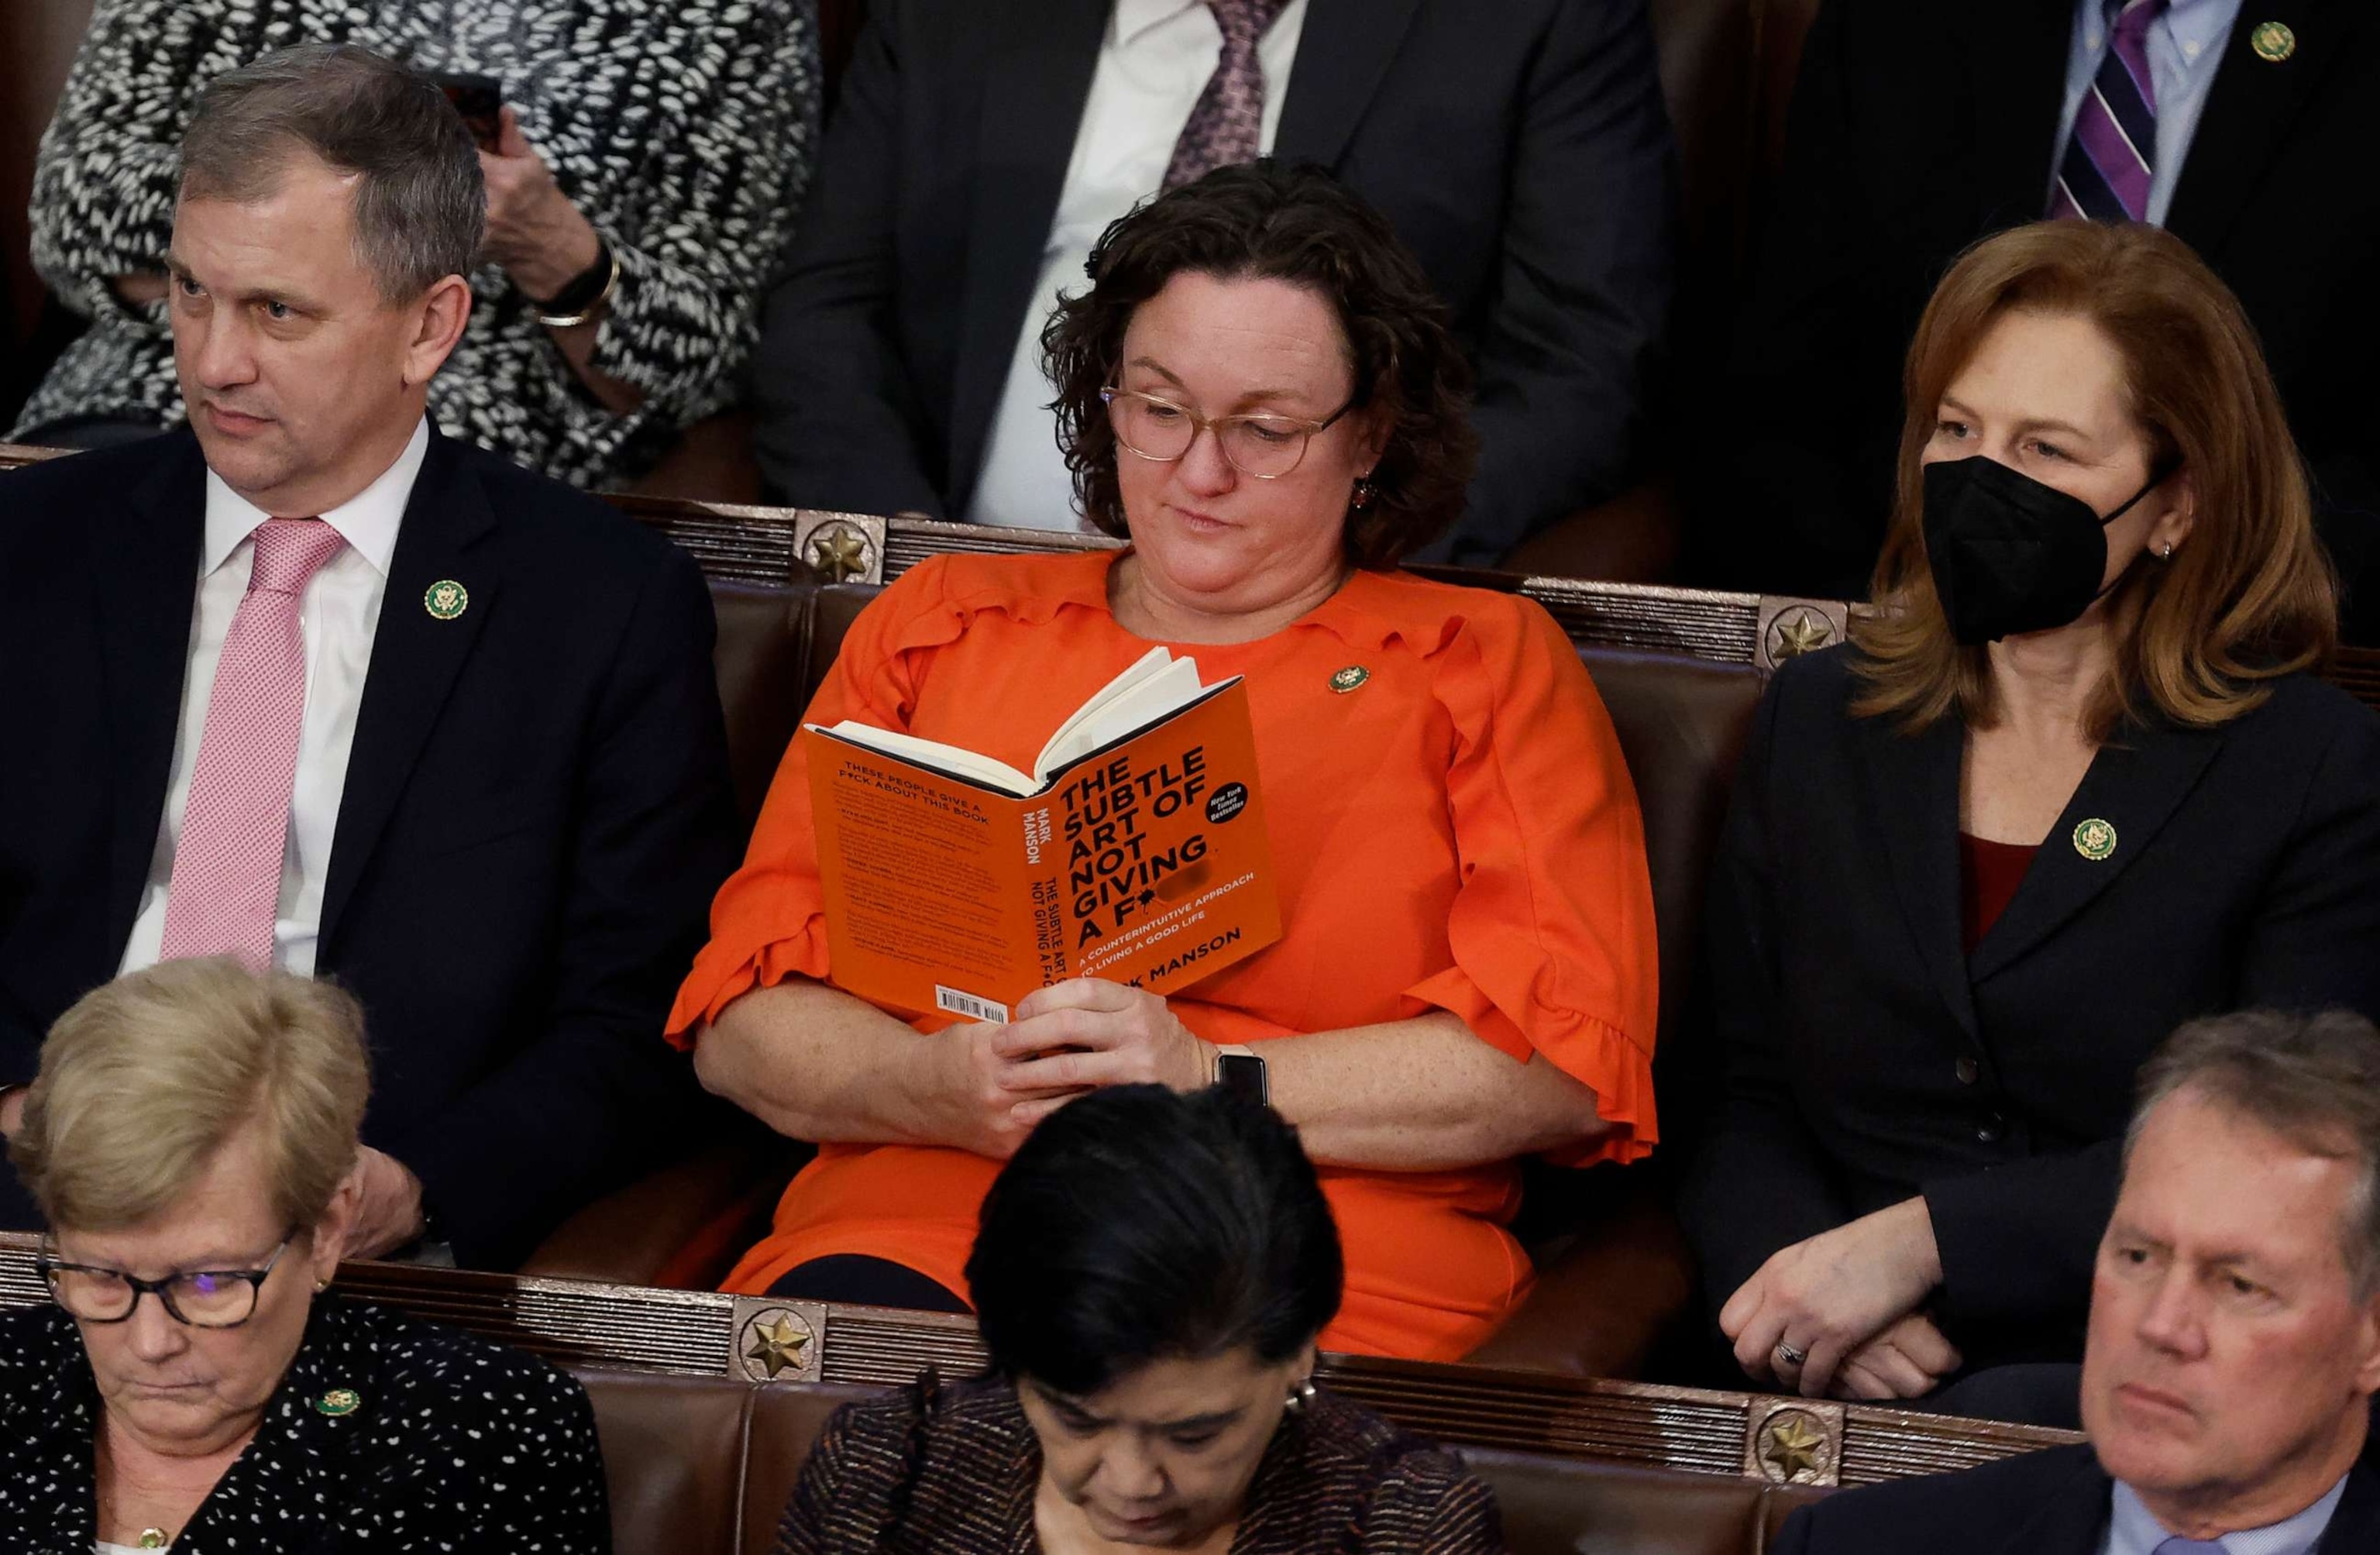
(1298, 225)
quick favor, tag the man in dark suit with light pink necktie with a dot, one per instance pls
(311, 685)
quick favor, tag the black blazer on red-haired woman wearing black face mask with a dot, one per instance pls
(1867, 1058)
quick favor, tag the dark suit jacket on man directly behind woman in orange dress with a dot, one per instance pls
(1522, 151)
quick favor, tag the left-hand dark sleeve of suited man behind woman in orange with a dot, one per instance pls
(837, 416)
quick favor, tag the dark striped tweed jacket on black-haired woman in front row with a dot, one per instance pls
(953, 1470)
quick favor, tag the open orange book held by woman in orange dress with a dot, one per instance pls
(1129, 854)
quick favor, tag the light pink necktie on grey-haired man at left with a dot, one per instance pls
(227, 868)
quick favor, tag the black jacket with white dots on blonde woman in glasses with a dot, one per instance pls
(451, 1444)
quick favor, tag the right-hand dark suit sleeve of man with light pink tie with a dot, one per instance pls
(596, 1092)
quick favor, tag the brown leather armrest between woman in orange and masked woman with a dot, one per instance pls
(1608, 1289)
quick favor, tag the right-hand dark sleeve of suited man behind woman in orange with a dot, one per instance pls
(1584, 287)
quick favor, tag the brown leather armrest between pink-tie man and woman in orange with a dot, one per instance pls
(684, 1228)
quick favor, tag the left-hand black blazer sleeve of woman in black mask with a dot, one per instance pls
(1760, 1182)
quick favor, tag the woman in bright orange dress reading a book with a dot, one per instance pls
(1263, 396)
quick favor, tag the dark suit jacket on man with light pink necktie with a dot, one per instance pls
(534, 820)
